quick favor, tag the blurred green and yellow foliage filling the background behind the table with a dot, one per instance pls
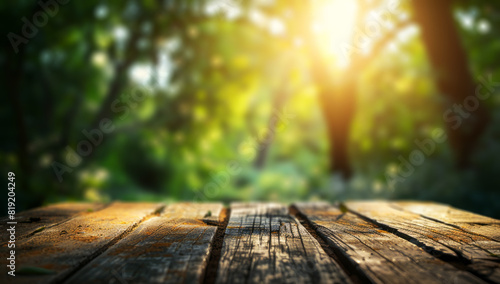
(190, 86)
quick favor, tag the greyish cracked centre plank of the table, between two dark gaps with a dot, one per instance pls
(263, 243)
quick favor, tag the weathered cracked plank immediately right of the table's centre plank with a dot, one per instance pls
(375, 254)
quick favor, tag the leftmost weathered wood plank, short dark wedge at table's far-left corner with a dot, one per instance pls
(45, 217)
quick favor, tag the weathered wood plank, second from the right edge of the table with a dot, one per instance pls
(476, 252)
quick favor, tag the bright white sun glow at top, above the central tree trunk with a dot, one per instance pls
(334, 26)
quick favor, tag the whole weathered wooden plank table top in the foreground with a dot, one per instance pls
(352, 242)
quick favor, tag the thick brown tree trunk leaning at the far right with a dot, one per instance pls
(449, 61)
